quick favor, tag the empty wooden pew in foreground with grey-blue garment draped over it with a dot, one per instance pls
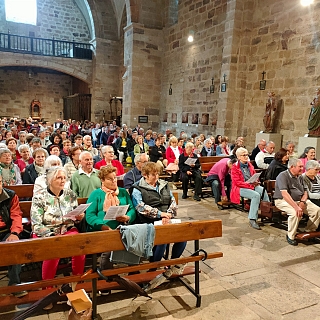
(34, 250)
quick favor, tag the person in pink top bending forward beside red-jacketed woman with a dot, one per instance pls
(219, 178)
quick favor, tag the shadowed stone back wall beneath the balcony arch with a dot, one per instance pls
(17, 91)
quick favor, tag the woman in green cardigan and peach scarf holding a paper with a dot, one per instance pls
(101, 200)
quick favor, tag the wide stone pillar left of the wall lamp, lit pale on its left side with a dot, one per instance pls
(142, 78)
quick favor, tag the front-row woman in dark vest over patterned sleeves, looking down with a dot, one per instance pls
(154, 201)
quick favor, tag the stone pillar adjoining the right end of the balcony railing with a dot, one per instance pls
(105, 77)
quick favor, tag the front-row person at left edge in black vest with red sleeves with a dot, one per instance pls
(10, 229)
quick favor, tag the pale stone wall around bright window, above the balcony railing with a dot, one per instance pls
(60, 19)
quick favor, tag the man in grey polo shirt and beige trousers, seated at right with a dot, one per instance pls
(291, 197)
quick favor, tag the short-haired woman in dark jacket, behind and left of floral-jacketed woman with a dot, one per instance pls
(36, 168)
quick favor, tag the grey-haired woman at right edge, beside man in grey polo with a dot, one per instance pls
(312, 181)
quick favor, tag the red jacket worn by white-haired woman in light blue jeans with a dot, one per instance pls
(238, 181)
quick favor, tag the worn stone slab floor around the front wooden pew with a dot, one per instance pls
(259, 277)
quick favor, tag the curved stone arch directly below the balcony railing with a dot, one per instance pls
(67, 66)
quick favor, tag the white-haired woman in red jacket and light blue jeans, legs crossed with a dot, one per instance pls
(242, 171)
